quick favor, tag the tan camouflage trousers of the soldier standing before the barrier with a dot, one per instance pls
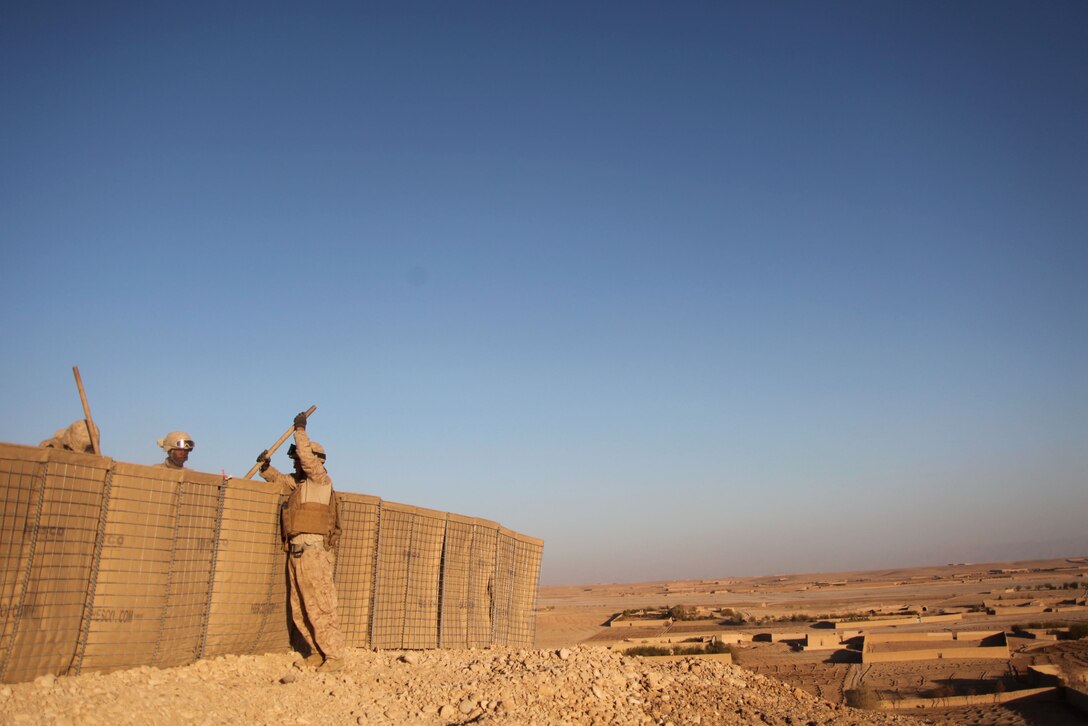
(314, 601)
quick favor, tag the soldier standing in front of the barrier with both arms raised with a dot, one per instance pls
(311, 521)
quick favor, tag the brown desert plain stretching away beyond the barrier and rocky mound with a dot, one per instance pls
(771, 620)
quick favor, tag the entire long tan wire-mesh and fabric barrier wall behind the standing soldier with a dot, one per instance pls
(107, 565)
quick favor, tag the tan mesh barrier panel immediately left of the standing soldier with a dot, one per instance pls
(249, 604)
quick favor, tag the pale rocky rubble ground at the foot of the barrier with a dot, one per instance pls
(572, 686)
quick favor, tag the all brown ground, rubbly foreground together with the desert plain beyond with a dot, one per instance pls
(575, 676)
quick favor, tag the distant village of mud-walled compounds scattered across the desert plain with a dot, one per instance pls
(842, 635)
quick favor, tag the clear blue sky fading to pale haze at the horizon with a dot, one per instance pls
(685, 290)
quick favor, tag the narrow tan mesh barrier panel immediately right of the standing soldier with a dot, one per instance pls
(355, 567)
